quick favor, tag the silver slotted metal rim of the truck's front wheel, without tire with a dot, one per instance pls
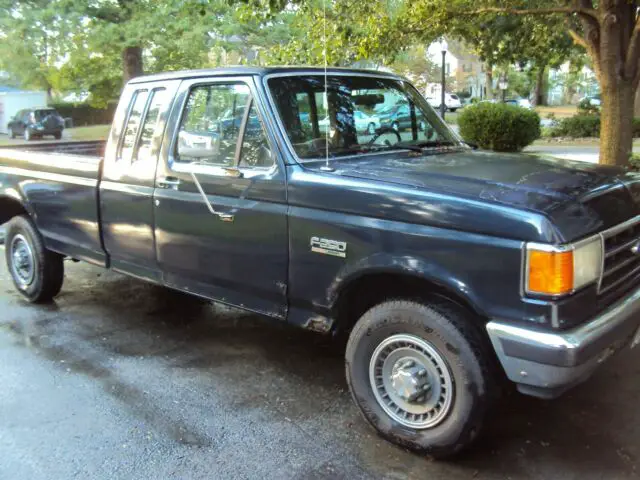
(411, 381)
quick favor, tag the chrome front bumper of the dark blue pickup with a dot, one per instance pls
(545, 364)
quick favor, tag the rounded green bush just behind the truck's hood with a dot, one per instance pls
(499, 126)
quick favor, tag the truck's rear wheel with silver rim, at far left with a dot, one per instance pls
(40, 274)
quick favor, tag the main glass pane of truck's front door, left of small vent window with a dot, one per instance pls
(210, 124)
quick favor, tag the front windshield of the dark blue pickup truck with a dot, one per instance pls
(358, 114)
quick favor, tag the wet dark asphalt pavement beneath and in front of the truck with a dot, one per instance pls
(122, 379)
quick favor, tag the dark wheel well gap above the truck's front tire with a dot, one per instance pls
(362, 294)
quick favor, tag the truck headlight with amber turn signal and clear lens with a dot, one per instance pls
(558, 271)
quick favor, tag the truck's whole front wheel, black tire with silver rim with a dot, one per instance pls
(450, 415)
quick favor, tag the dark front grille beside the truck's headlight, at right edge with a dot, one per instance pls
(621, 256)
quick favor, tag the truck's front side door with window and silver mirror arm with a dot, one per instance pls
(220, 199)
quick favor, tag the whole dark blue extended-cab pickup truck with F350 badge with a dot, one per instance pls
(449, 268)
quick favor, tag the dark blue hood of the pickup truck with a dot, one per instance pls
(578, 197)
